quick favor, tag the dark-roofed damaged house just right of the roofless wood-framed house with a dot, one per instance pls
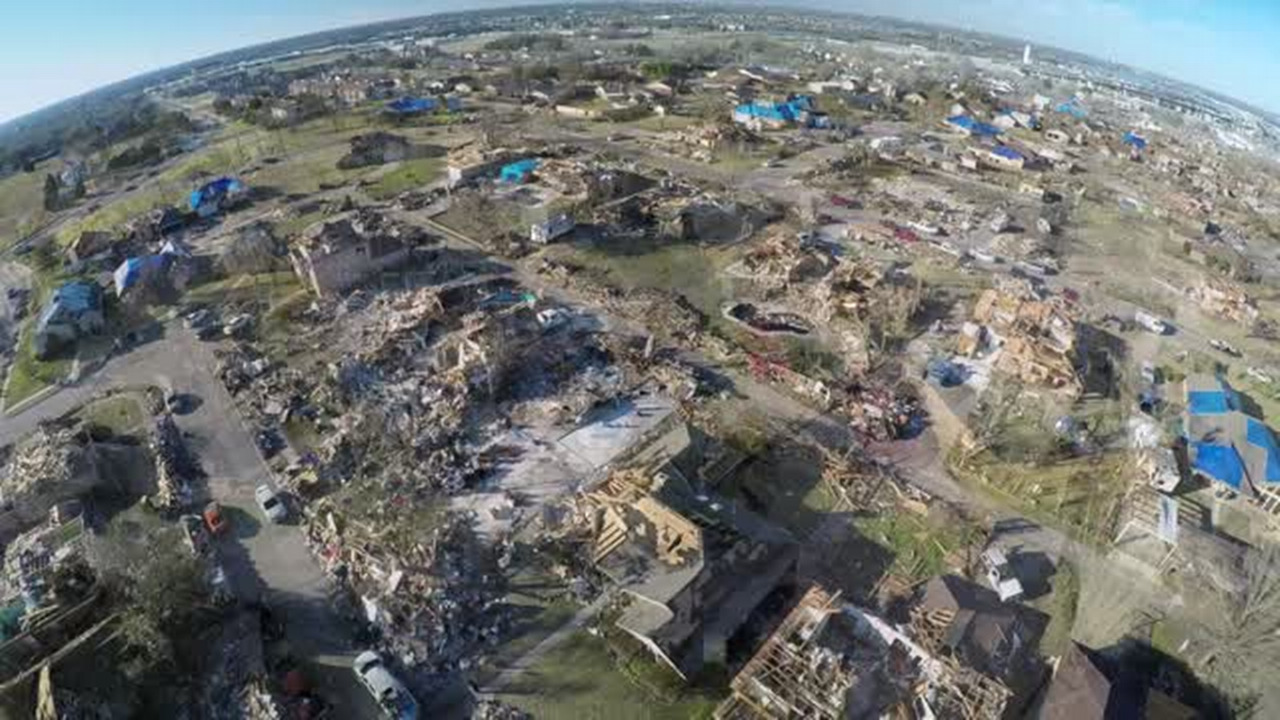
(963, 621)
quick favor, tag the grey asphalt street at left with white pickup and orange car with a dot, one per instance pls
(263, 562)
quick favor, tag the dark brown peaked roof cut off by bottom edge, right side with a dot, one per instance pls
(1089, 687)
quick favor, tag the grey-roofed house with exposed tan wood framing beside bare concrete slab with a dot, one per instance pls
(694, 569)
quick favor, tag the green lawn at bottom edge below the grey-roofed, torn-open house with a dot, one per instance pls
(579, 681)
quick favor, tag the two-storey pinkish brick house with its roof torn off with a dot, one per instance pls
(340, 254)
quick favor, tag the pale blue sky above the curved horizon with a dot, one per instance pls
(54, 49)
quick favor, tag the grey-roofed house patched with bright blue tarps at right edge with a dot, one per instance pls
(1228, 446)
